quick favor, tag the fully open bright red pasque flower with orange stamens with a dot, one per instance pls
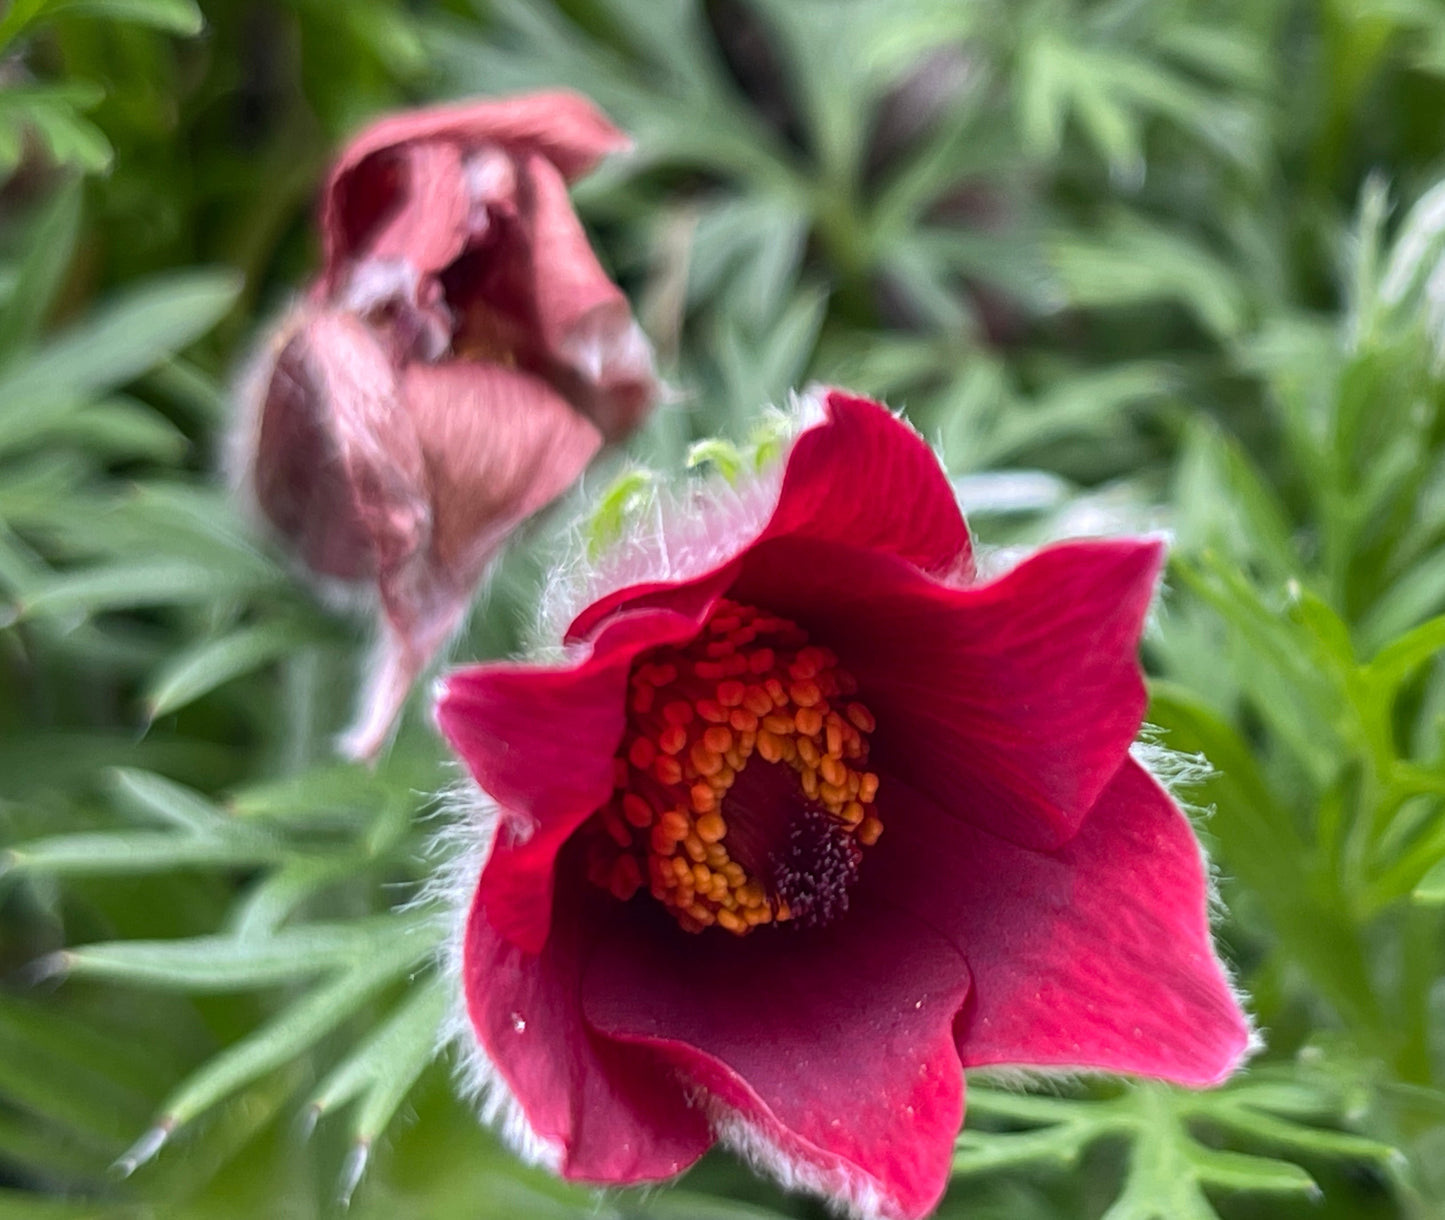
(808, 819)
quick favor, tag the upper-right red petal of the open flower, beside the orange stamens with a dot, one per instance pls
(1012, 703)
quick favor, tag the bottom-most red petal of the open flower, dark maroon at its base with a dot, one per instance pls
(834, 1047)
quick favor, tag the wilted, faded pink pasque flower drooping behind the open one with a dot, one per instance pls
(454, 368)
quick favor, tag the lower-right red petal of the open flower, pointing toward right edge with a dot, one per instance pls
(1096, 956)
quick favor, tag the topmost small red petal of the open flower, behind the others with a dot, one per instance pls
(869, 481)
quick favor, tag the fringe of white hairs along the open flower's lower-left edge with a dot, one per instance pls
(460, 849)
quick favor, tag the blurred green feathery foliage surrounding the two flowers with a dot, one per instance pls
(1129, 265)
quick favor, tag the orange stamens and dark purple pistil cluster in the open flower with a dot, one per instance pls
(742, 787)
